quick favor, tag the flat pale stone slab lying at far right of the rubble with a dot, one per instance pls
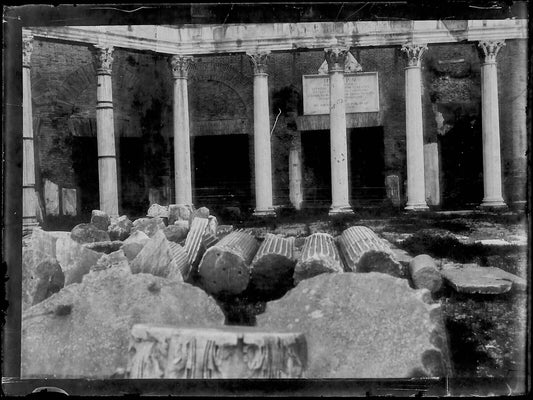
(472, 278)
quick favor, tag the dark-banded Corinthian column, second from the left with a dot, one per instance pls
(105, 132)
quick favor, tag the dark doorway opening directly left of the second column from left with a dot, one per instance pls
(85, 165)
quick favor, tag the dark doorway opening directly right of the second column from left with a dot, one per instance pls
(134, 199)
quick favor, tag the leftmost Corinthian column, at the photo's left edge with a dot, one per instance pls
(29, 198)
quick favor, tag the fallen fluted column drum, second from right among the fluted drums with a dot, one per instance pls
(319, 255)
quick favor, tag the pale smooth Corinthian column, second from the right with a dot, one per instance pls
(416, 192)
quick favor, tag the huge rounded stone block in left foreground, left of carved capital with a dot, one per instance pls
(91, 341)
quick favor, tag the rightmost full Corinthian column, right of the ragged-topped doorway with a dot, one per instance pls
(490, 121)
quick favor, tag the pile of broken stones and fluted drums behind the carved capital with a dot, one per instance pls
(84, 290)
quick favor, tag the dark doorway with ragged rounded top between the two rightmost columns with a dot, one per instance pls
(462, 164)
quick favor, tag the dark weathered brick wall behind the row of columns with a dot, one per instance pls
(221, 102)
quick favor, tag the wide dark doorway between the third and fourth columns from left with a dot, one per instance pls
(221, 171)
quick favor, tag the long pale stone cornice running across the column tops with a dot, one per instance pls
(232, 38)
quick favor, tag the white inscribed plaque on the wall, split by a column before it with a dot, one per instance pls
(361, 93)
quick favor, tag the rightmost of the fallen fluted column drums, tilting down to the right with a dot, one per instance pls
(363, 251)
